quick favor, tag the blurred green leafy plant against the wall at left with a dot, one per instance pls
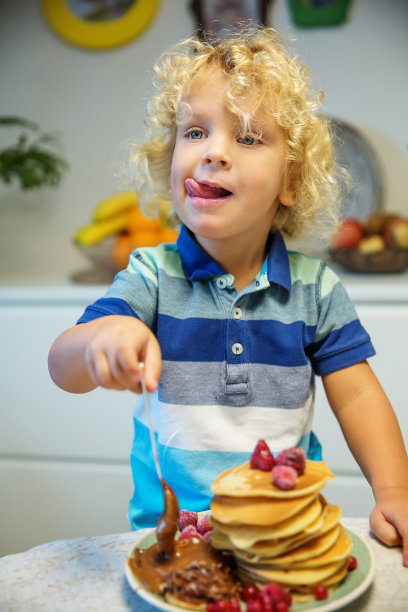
(34, 160)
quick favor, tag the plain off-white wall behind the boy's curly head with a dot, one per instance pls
(97, 98)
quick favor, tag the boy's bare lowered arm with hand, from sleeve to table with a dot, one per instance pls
(373, 435)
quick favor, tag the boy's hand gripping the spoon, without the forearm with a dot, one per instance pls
(115, 350)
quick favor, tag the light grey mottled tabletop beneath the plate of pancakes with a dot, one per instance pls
(86, 574)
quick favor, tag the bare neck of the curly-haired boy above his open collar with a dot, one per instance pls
(242, 261)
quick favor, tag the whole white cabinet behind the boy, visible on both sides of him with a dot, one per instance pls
(64, 459)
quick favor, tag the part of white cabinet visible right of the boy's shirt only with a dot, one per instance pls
(383, 310)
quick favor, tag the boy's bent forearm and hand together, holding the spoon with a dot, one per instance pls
(105, 352)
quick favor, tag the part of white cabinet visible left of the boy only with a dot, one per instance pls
(64, 459)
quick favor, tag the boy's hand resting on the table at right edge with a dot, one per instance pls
(389, 519)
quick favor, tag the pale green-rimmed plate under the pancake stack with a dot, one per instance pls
(354, 585)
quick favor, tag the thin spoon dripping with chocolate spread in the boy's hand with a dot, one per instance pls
(167, 523)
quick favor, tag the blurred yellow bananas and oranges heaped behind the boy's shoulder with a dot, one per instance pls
(120, 217)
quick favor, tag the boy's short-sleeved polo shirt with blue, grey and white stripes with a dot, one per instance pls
(237, 366)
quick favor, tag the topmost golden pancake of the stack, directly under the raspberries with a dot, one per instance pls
(243, 481)
